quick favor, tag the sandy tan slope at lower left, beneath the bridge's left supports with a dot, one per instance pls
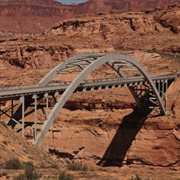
(13, 146)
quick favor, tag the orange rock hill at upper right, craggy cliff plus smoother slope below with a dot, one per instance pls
(127, 30)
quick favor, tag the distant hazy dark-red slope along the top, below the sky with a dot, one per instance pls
(24, 16)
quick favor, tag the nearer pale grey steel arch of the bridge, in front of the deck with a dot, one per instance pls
(110, 59)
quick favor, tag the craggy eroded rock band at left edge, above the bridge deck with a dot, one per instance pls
(35, 56)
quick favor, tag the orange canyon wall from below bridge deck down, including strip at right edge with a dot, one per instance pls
(110, 136)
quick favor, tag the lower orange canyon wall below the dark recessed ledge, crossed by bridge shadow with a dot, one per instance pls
(124, 141)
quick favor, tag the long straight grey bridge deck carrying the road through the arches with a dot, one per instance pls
(16, 92)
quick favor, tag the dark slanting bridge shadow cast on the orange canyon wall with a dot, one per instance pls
(125, 135)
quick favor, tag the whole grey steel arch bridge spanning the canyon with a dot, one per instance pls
(148, 91)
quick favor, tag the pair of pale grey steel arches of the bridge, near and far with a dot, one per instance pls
(112, 60)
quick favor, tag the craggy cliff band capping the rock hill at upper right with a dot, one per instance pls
(118, 23)
